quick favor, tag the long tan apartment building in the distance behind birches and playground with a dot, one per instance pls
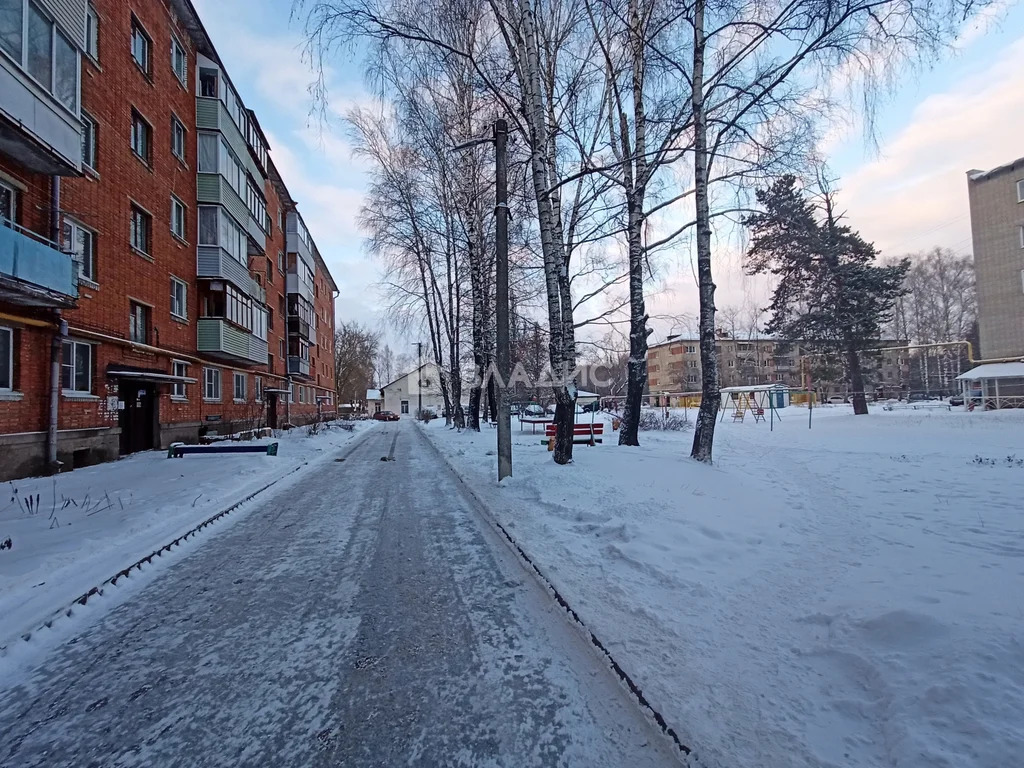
(674, 366)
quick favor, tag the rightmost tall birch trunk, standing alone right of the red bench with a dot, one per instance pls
(711, 397)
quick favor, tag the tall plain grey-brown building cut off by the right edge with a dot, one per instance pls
(997, 199)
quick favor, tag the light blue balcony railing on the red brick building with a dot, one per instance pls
(33, 271)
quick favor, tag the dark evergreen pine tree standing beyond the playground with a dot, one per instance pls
(831, 295)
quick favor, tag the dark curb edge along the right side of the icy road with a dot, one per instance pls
(635, 691)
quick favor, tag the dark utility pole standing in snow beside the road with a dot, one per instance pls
(502, 298)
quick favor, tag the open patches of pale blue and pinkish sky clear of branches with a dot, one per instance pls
(907, 192)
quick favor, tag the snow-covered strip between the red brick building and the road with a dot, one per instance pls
(90, 524)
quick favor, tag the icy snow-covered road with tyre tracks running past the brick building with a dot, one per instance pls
(365, 617)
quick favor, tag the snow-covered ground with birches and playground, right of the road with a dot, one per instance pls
(846, 595)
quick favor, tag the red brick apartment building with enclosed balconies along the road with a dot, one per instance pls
(157, 281)
